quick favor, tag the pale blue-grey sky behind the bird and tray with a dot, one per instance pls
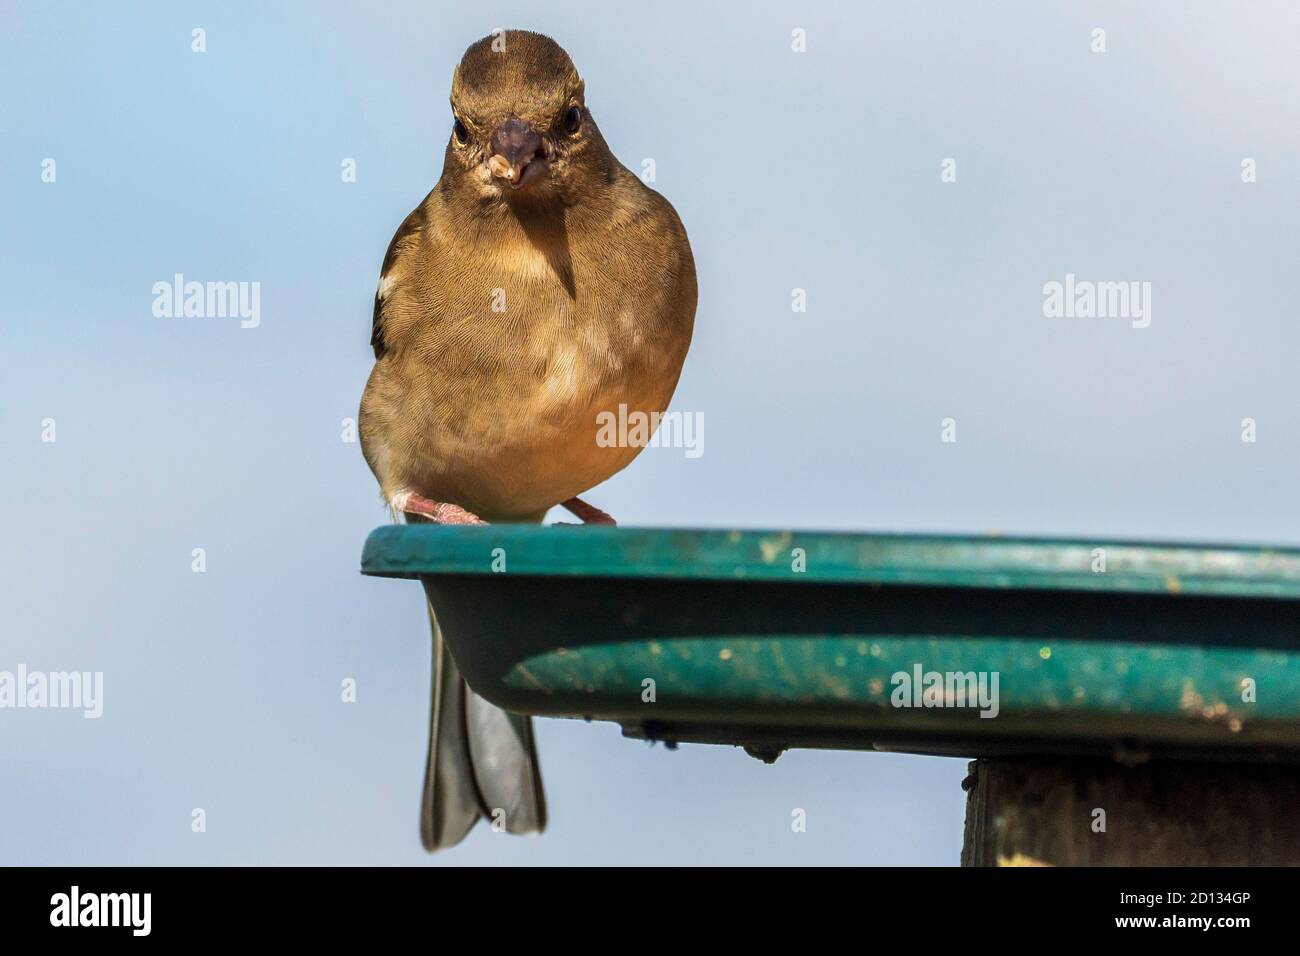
(817, 171)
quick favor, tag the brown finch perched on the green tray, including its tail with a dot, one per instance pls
(538, 287)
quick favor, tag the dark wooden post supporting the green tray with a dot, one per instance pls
(1052, 812)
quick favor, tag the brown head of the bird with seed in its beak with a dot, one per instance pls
(521, 129)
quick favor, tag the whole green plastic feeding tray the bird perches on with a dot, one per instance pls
(775, 639)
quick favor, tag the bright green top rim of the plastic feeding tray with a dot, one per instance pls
(838, 557)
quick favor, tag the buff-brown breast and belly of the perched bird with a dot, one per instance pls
(513, 354)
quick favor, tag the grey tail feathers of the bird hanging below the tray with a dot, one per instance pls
(483, 762)
